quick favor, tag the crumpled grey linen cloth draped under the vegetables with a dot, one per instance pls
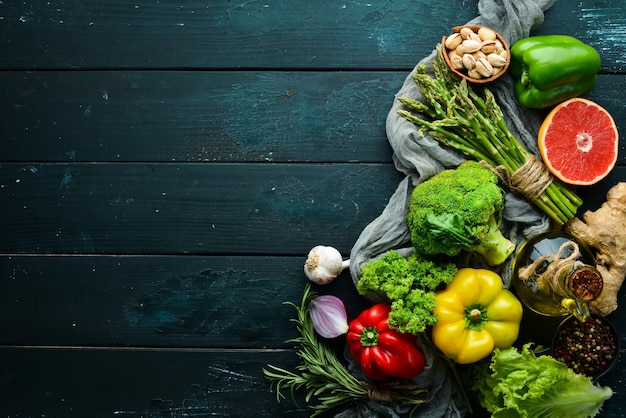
(419, 157)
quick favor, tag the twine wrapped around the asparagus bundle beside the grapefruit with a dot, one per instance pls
(530, 180)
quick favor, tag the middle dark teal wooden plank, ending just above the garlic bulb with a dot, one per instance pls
(272, 209)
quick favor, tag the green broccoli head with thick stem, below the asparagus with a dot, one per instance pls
(459, 210)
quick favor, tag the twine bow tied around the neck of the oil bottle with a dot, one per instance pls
(550, 276)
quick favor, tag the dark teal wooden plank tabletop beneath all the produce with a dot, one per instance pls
(165, 166)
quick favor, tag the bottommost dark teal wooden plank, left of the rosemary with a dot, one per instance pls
(141, 383)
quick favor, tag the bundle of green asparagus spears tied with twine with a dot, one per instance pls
(457, 116)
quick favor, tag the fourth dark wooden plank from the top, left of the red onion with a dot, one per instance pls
(155, 301)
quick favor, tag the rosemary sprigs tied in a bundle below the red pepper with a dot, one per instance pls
(325, 377)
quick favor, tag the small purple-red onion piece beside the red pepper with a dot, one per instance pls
(329, 316)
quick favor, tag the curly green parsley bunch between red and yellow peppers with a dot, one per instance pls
(408, 284)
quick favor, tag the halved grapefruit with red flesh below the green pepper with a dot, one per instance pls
(578, 141)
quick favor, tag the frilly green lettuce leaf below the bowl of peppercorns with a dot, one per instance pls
(518, 384)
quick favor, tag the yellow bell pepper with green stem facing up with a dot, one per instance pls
(475, 315)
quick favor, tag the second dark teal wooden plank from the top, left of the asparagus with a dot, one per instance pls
(199, 116)
